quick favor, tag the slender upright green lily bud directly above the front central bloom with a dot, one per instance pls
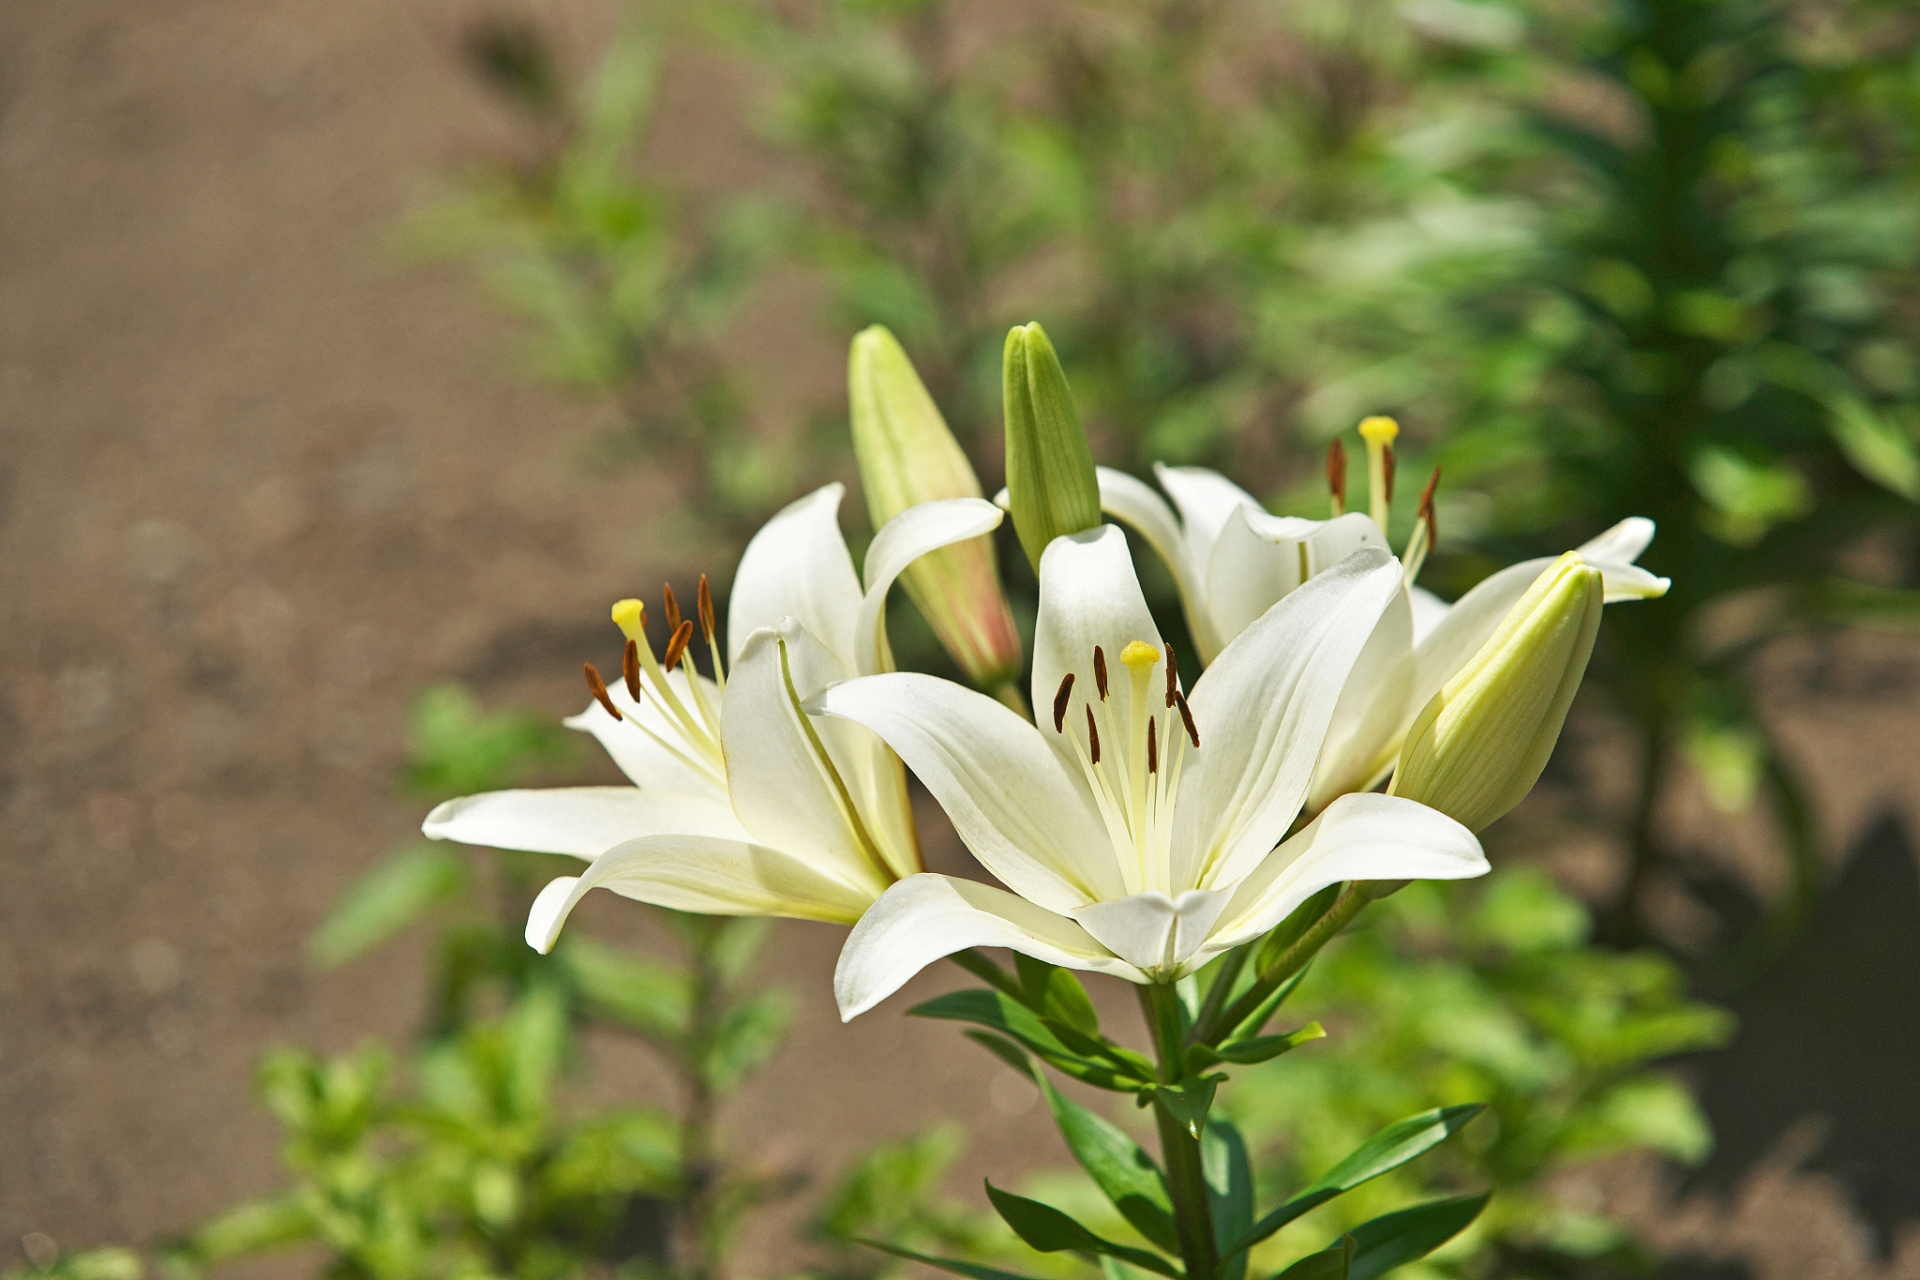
(1049, 469)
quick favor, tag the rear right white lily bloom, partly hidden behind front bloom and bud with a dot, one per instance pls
(1232, 561)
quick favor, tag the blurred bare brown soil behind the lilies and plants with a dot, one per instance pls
(260, 485)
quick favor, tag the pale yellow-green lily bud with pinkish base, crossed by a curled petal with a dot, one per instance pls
(907, 458)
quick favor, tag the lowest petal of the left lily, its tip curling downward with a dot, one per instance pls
(700, 874)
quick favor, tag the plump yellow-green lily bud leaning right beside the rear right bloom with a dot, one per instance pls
(1481, 744)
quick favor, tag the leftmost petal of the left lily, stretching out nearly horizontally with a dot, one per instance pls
(577, 820)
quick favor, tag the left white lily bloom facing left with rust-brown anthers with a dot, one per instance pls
(742, 805)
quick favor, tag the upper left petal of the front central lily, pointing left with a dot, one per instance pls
(1007, 794)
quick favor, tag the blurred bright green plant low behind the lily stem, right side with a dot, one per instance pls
(1487, 993)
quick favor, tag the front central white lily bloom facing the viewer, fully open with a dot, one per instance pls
(1140, 830)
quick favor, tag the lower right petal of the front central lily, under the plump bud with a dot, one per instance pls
(1360, 838)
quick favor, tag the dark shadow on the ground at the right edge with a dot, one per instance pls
(1825, 1062)
